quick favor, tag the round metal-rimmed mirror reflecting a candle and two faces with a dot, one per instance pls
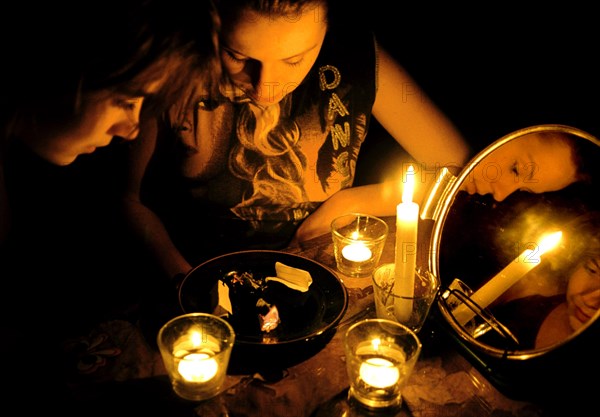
(506, 285)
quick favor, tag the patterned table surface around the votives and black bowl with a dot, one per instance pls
(121, 368)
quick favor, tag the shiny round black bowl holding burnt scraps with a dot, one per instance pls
(308, 320)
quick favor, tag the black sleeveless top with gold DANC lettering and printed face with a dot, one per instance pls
(216, 186)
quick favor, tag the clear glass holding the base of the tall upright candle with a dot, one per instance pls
(408, 309)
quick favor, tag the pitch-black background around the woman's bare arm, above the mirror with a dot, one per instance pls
(492, 72)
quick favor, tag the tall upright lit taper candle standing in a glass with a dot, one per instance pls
(407, 221)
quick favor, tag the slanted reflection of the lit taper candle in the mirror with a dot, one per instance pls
(521, 265)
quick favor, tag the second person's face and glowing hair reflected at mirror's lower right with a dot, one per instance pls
(562, 293)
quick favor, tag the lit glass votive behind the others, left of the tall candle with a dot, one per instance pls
(358, 241)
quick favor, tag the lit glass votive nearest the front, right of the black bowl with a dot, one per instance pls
(380, 356)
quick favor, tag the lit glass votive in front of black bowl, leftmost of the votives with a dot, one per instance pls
(195, 349)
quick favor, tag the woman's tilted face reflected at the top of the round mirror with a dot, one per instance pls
(537, 162)
